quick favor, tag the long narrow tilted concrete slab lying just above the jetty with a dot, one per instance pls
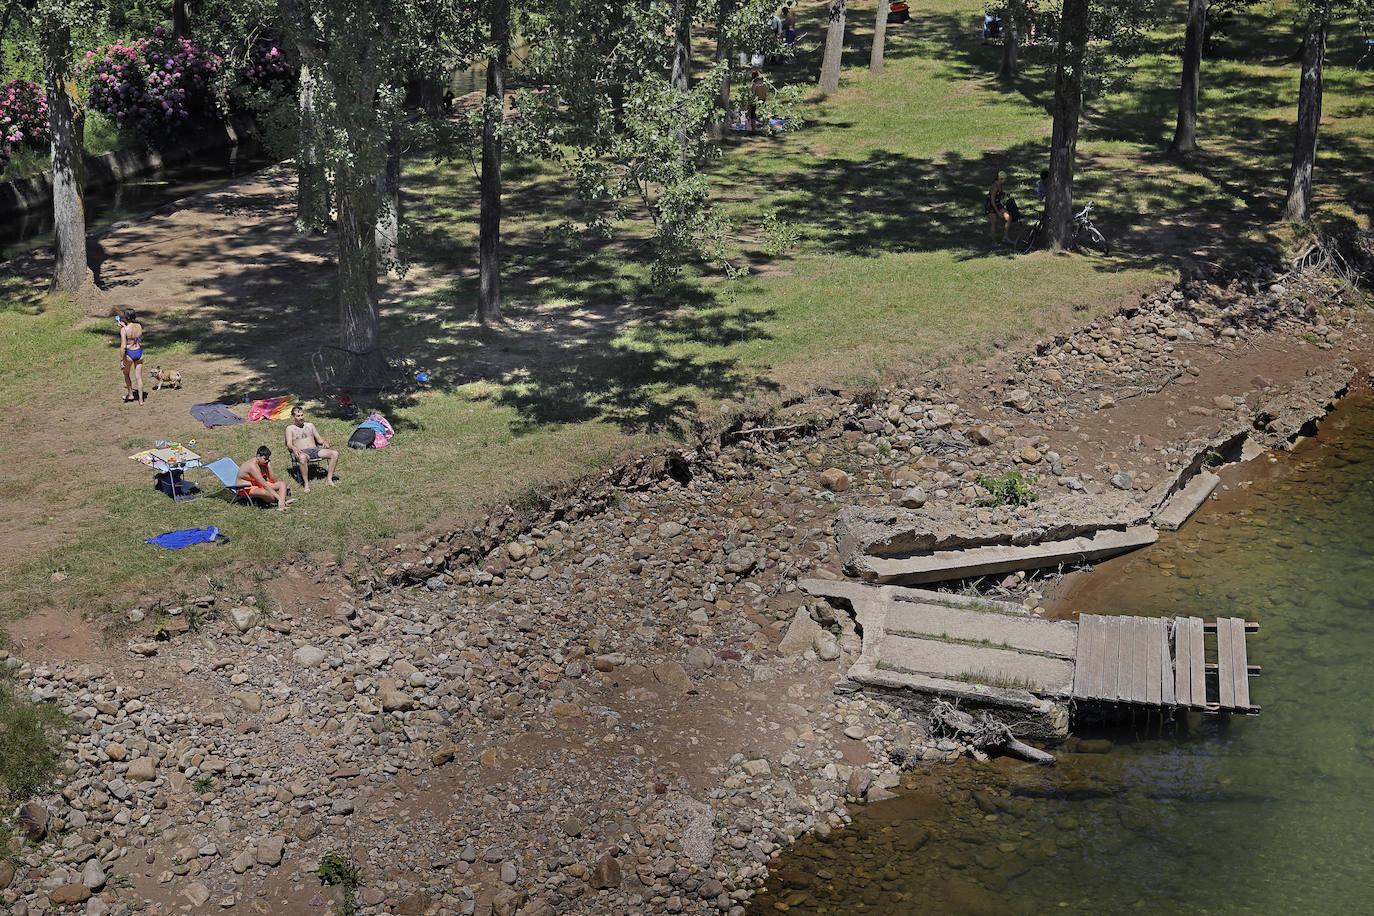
(941, 566)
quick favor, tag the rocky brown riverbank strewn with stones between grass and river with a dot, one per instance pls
(608, 705)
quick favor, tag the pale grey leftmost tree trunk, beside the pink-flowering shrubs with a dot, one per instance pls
(65, 127)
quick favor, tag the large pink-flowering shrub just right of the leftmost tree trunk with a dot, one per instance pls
(155, 84)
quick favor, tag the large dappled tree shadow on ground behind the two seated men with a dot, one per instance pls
(585, 339)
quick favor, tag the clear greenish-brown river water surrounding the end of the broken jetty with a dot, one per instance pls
(1265, 815)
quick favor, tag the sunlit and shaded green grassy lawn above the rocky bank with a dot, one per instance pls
(894, 275)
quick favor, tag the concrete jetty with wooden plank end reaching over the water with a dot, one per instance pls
(957, 646)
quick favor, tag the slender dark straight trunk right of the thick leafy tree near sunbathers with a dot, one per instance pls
(490, 220)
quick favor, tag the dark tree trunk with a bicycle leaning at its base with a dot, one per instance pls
(1068, 104)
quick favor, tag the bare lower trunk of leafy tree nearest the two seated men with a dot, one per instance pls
(358, 266)
